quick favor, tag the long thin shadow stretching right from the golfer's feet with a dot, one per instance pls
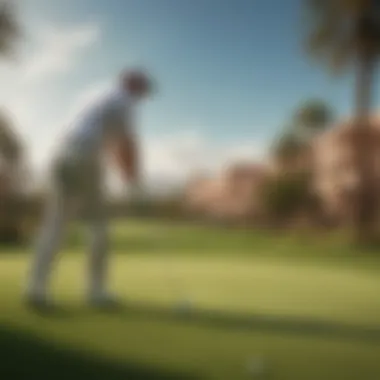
(290, 325)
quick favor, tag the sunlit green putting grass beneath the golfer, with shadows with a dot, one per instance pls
(309, 307)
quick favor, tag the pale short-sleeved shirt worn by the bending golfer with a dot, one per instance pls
(105, 118)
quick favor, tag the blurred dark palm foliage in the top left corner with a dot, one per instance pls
(9, 28)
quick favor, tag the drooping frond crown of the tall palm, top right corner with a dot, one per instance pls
(338, 30)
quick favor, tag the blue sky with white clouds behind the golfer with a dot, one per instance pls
(230, 72)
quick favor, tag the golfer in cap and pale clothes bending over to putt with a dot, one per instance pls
(78, 183)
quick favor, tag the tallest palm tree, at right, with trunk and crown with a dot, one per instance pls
(344, 33)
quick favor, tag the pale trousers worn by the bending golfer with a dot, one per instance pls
(76, 189)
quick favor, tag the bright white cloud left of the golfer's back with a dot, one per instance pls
(57, 52)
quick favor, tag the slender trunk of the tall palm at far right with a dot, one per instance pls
(365, 208)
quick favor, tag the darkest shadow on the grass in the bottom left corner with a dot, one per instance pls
(24, 356)
